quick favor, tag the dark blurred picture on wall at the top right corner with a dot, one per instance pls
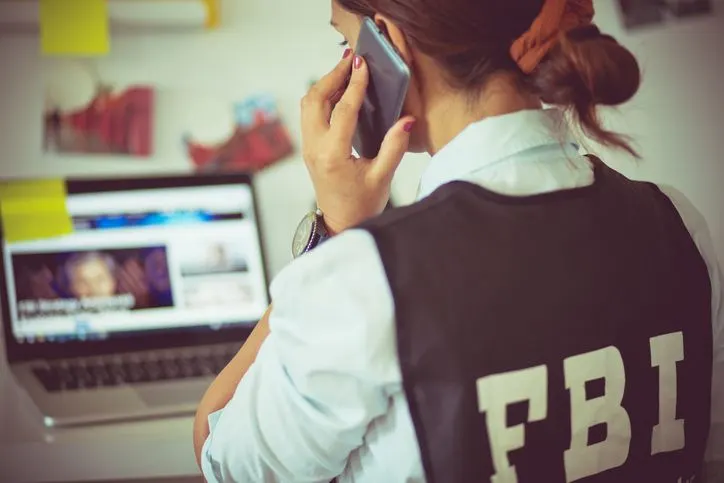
(640, 13)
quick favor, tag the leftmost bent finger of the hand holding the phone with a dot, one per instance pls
(316, 105)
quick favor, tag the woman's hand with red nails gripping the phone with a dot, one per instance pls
(349, 190)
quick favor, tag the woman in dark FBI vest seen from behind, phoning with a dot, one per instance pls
(535, 316)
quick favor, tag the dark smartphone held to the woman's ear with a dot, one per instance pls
(386, 93)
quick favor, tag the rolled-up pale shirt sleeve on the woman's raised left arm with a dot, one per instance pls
(324, 373)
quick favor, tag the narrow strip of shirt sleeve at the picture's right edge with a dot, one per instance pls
(697, 226)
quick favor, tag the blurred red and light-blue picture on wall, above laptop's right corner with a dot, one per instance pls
(259, 139)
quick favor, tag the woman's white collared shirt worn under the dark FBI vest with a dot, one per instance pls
(324, 397)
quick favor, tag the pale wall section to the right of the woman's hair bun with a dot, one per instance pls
(677, 119)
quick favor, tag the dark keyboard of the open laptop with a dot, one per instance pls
(138, 368)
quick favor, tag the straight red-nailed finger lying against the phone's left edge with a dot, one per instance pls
(346, 112)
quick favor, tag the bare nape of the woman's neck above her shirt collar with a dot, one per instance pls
(450, 113)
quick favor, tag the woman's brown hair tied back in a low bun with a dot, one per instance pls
(471, 40)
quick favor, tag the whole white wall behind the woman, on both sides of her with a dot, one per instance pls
(279, 46)
